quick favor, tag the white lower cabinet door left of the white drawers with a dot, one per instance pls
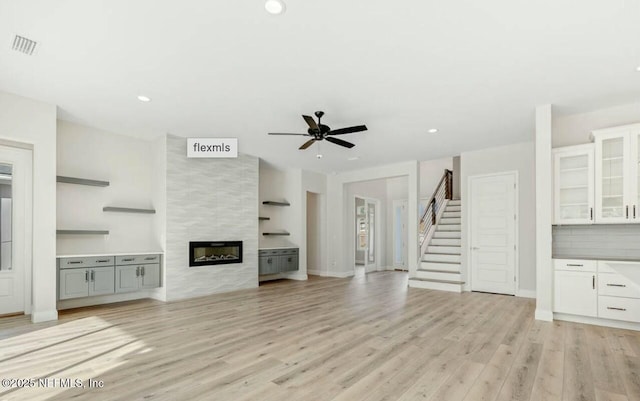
(575, 293)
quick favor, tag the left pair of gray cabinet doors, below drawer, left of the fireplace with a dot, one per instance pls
(85, 282)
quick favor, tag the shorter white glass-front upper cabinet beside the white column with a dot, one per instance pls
(574, 184)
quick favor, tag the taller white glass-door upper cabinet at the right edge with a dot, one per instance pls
(617, 174)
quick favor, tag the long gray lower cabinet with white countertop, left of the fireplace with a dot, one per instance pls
(104, 275)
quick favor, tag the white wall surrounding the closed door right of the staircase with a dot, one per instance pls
(518, 157)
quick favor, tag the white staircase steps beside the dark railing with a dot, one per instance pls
(440, 265)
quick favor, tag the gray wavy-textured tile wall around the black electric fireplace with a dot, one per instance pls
(209, 200)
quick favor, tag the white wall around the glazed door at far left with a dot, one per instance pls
(34, 123)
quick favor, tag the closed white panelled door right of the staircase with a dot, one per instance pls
(493, 218)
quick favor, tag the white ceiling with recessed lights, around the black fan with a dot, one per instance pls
(473, 69)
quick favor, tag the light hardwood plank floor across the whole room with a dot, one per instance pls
(363, 338)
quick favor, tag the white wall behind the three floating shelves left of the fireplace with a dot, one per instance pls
(128, 164)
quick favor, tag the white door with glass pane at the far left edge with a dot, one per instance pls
(15, 232)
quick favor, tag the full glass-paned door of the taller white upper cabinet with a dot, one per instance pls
(612, 178)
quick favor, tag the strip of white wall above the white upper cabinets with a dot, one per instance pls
(576, 129)
